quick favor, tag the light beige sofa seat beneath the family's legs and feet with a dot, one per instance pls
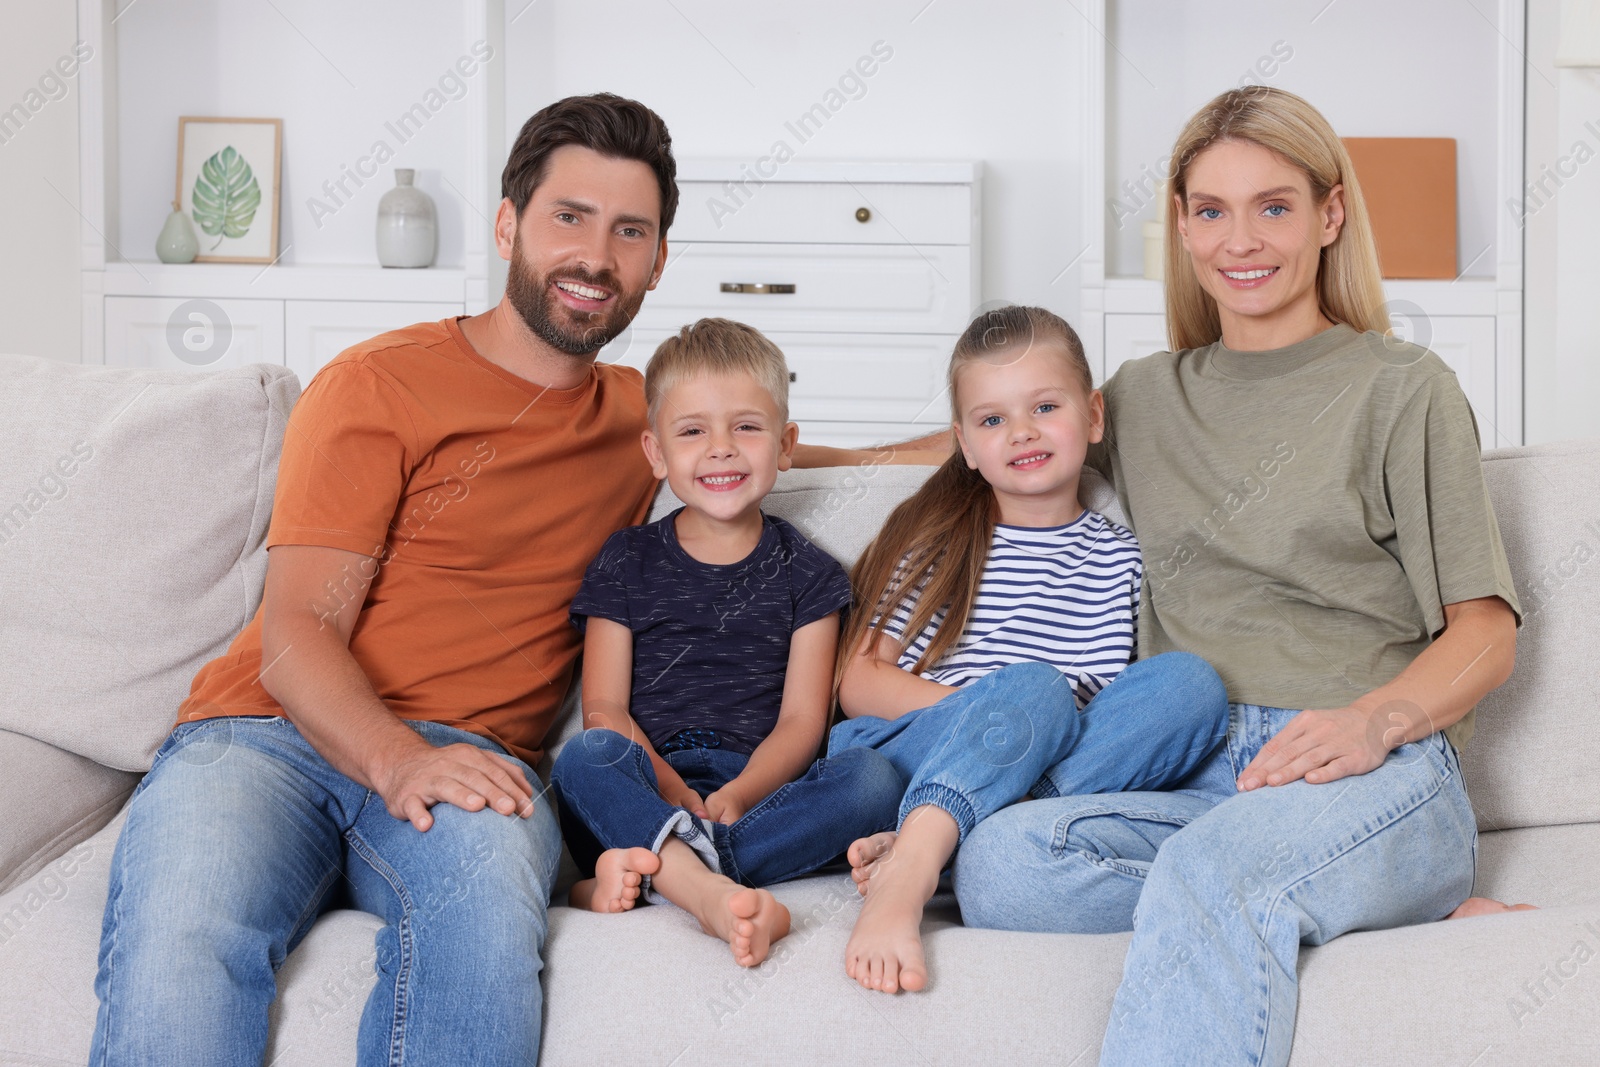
(996, 997)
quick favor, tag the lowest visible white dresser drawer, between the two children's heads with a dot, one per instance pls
(868, 378)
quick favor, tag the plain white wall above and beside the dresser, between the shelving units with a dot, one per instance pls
(967, 81)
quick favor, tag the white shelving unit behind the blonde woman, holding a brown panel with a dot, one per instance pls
(1138, 90)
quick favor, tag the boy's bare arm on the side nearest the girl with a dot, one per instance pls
(802, 717)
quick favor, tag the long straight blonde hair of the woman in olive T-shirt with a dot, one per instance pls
(1350, 287)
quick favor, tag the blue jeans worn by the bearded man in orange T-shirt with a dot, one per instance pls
(242, 836)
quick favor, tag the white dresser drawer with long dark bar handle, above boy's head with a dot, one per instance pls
(841, 289)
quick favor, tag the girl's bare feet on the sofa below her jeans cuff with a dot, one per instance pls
(886, 948)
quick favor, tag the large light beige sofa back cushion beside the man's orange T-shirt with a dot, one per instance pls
(134, 506)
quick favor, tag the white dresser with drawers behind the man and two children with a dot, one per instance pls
(863, 274)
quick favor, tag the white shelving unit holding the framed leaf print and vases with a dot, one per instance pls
(321, 71)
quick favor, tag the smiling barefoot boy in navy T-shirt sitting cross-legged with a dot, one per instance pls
(710, 645)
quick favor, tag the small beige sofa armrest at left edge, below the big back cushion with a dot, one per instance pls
(52, 801)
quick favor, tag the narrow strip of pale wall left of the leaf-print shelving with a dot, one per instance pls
(39, 225)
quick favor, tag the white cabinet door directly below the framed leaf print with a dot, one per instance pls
(190, 332)
